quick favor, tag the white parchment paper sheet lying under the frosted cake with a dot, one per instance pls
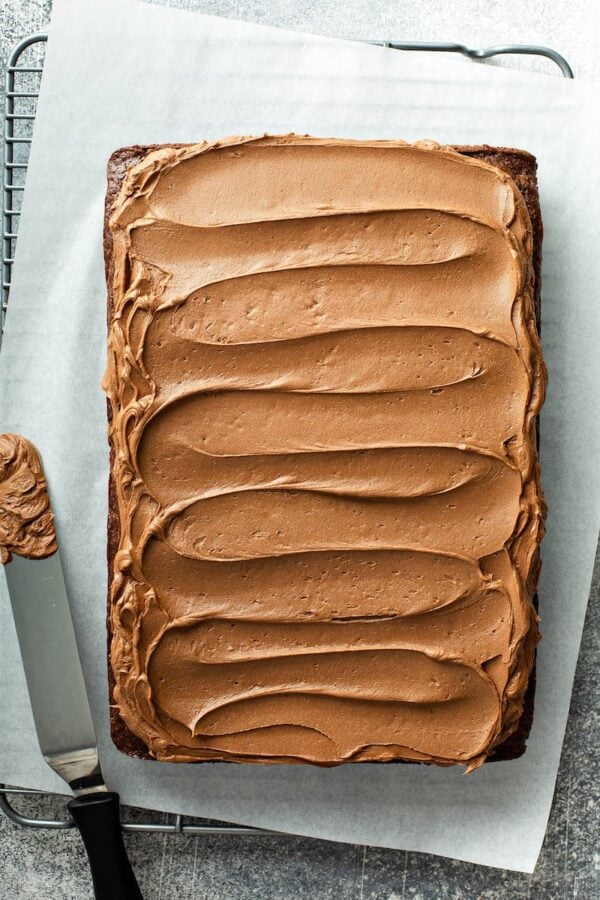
(119, 72)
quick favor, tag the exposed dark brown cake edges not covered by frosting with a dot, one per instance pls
(522, 168)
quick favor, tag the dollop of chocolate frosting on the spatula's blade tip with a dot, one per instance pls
(26, 520)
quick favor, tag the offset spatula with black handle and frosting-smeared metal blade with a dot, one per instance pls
(57, 691)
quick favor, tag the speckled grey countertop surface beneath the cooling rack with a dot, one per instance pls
(44, 864)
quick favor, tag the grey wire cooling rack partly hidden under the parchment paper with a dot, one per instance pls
(23, 77)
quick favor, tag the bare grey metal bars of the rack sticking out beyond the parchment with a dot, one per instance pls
(10, 220)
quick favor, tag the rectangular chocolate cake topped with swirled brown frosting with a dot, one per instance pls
(324, 374)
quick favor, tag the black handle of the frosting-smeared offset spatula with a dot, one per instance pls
(97, 817)
